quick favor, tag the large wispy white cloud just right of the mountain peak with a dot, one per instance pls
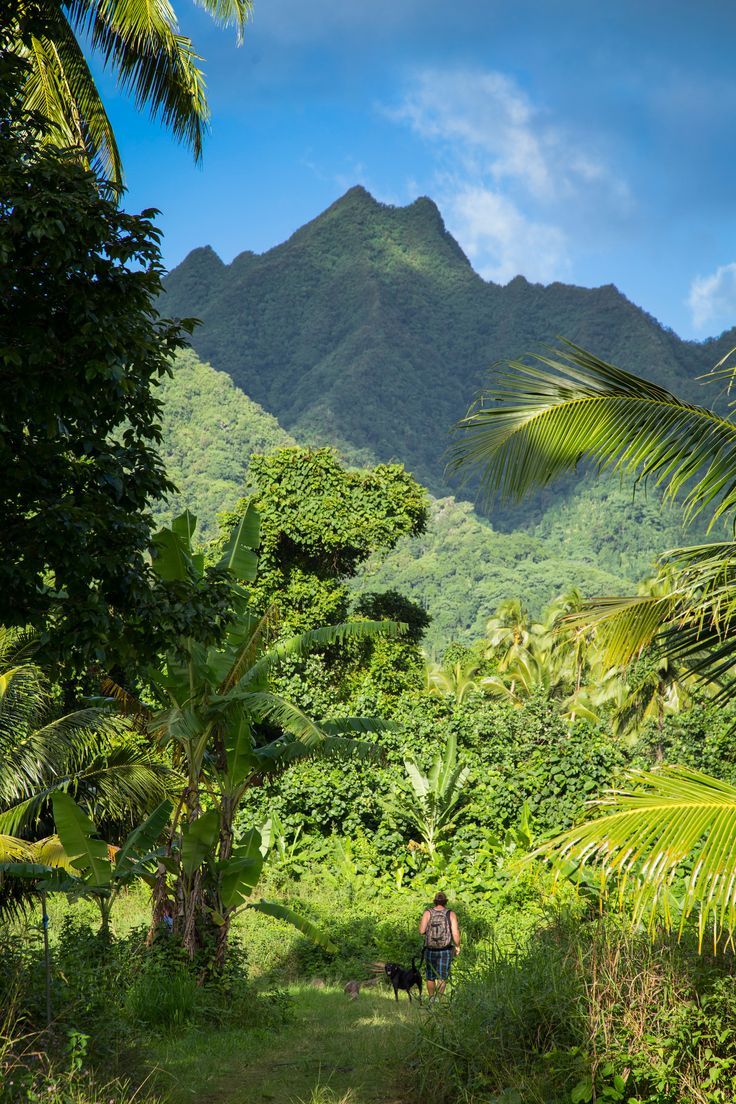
(516, 188)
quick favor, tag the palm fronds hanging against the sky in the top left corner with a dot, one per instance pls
(141, 43)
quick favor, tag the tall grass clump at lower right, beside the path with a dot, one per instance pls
(583, 1013)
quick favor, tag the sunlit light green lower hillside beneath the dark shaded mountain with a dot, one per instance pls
(462, 568)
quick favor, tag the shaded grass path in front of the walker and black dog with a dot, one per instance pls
(349, 1049)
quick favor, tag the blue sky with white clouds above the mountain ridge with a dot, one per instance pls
(588, 143)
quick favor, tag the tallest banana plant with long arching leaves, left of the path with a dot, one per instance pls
(217, 714)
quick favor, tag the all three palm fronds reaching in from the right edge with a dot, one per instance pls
(547, 417)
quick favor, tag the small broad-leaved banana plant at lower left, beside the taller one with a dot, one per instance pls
(79, 864)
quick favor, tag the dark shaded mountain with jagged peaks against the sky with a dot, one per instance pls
(369, 330)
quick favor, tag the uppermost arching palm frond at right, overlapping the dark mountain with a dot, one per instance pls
(559, 409)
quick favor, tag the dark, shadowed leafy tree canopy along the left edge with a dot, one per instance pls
(82, 352)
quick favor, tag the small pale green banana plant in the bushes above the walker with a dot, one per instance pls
(434, 800)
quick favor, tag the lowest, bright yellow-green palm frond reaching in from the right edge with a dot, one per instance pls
(677, 822)
